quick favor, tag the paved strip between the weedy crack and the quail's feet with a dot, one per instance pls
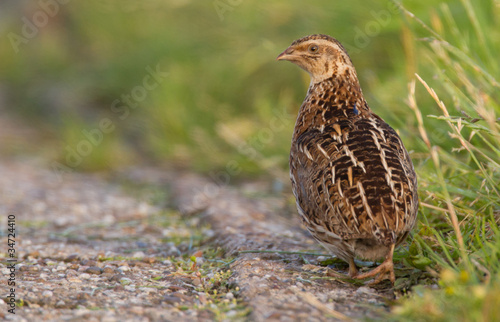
(277, 286)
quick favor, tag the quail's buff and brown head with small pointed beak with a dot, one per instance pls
(320, 55)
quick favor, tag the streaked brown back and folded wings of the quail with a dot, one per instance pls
(354, 180)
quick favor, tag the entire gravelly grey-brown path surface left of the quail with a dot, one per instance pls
(90, 250)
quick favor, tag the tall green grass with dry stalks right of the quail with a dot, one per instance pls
(457, 109)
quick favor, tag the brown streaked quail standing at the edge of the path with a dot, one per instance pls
(353, 180)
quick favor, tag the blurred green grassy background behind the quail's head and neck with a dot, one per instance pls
(222, 96)
